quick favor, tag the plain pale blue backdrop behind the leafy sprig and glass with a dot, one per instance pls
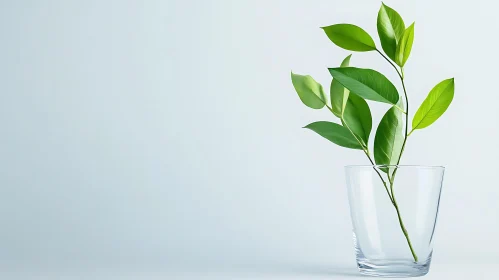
(167, 134)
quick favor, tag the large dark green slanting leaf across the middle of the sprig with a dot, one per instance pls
(366, 83)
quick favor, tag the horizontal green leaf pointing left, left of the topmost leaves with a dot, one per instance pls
(350, 37)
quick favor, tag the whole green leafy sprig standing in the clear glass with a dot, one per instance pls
(351, 87)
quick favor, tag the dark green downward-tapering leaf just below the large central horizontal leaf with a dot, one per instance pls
(357, 117)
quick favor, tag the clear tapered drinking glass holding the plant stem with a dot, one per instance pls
(394, 212)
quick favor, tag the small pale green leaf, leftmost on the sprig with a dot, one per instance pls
(309, 91)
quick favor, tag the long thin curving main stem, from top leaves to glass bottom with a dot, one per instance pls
(392, 178)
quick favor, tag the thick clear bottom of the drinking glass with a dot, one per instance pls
(393, 268)
